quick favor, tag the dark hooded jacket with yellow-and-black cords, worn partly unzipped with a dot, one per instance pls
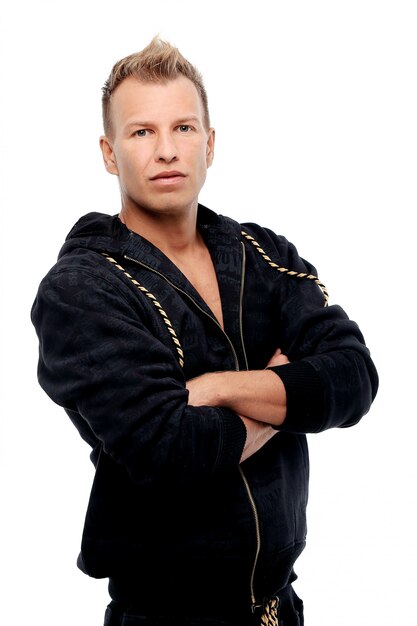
(121, 330)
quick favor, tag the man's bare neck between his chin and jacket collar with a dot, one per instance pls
(173, 234)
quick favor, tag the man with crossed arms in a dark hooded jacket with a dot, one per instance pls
(192, 354)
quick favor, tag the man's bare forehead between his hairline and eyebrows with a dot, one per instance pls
(155, 101)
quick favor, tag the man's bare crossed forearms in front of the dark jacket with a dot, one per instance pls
(257, 396)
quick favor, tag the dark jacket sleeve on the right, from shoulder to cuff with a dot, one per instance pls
(331, 380)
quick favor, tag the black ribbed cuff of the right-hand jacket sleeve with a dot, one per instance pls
(305, 397)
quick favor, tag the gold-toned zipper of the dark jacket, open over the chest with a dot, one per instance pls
(245, 481)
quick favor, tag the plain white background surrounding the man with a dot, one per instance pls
(314, 103)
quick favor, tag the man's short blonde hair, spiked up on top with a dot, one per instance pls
(158, 62)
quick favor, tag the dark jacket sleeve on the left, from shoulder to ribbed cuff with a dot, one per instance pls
(122, 386)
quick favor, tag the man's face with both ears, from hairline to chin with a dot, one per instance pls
(159, 147)
